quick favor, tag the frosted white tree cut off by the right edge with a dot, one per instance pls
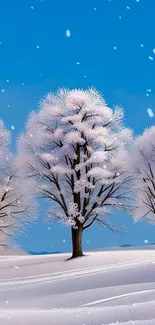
(142, 164)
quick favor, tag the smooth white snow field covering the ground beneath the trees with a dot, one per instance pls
(106, 287)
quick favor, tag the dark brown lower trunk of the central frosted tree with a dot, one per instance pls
(77, 242)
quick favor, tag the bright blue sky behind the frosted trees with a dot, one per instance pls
(37, 57)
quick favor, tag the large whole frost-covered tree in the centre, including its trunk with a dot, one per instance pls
(75, 148)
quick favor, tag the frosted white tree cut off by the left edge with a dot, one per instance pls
(16, 204)
